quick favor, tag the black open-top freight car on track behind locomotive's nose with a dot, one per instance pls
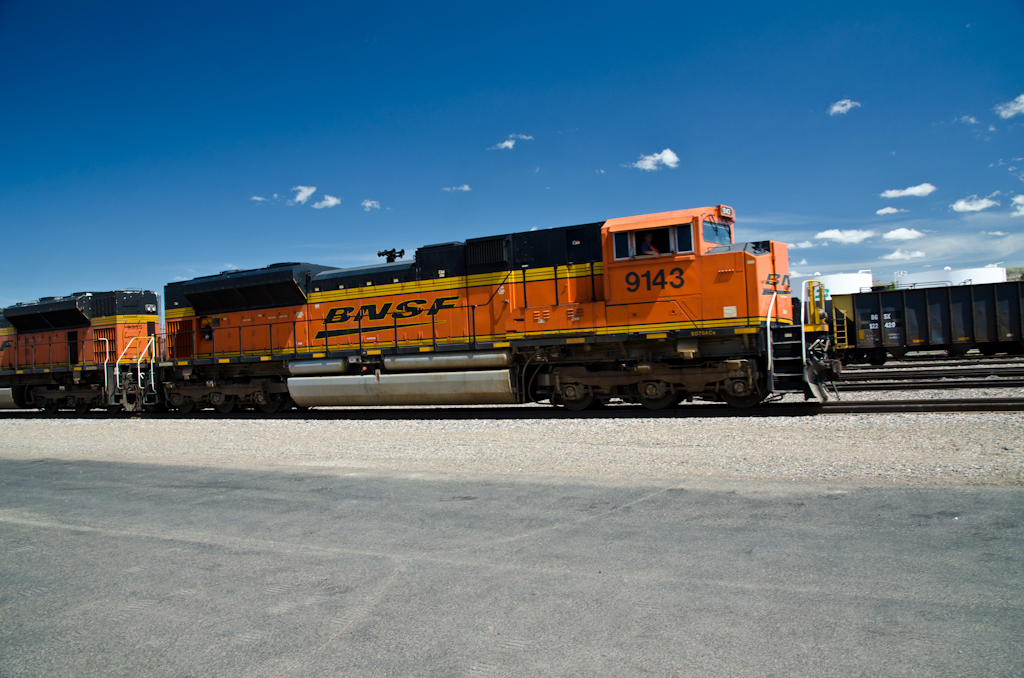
(871, 326)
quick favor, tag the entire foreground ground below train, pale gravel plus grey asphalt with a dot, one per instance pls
(834, 545)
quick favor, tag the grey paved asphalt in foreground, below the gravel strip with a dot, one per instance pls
(129, 570)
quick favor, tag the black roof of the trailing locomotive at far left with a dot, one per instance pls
(78, 310)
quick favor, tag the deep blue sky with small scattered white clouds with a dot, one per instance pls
(136, 137)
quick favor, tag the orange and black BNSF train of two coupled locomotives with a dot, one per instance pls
(655, 310)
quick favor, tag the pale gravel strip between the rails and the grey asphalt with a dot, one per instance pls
(965, 449)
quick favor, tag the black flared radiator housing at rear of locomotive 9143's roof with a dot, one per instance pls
(278, 285)
